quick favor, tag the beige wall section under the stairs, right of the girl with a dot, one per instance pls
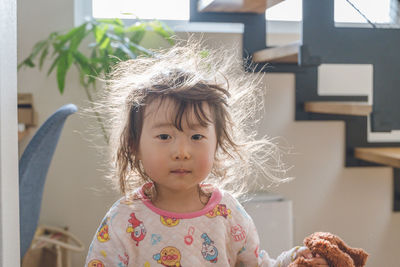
(354, 203)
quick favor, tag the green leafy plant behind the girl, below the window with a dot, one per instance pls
(112, 42)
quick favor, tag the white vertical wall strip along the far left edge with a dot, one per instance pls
(9, 208)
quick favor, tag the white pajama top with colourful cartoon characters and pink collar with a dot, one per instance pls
(136, 233)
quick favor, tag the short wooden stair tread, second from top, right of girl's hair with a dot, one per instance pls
(281, 54)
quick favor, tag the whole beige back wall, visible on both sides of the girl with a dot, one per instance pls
(354, 203)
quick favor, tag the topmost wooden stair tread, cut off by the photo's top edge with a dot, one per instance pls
(237, 6)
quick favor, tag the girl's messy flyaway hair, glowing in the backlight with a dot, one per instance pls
(190, 74)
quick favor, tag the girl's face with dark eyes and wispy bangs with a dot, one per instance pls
(176, 161)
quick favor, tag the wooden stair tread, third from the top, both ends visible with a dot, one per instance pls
(339, 107)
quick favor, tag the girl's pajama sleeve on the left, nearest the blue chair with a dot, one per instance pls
(106, 248)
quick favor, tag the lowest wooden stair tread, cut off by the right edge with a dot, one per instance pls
(389, 156)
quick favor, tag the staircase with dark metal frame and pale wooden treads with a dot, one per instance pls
(303, 59)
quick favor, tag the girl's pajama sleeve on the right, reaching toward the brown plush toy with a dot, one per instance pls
(251, 255)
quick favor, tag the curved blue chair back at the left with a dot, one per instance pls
(33, 167)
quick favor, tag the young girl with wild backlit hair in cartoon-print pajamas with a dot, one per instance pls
(183, 146)
